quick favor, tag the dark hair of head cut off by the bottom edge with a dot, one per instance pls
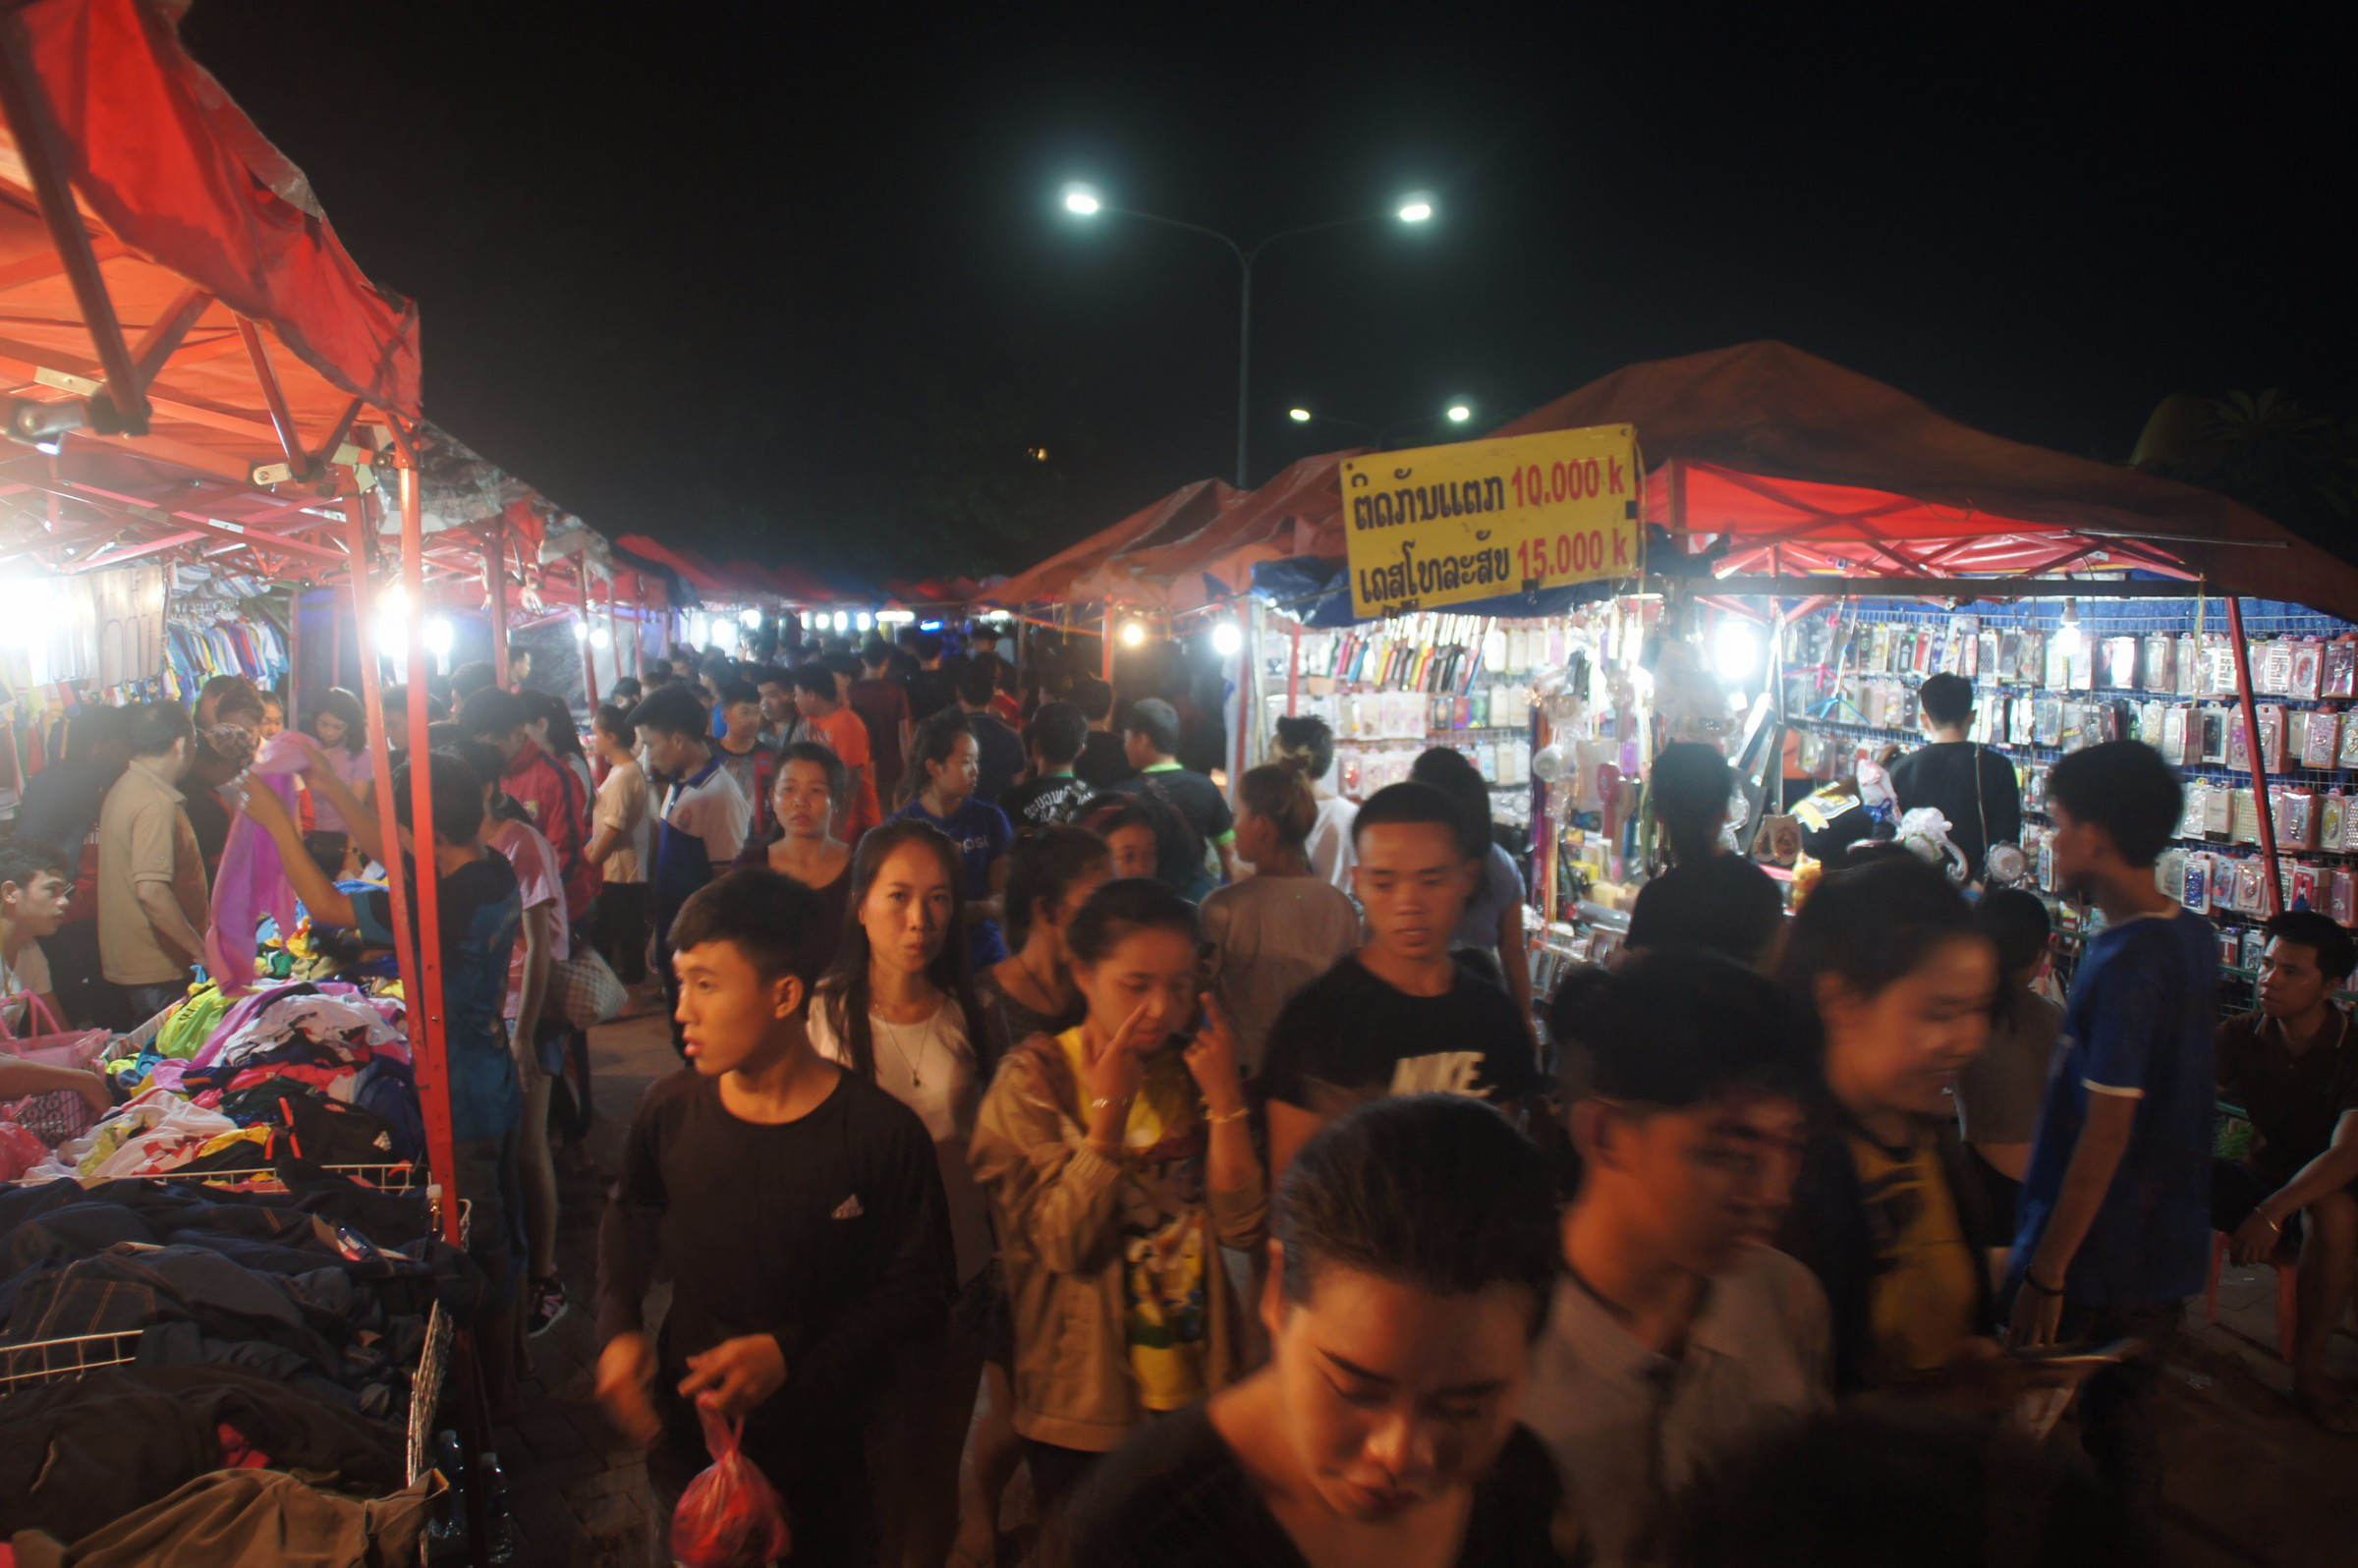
(1871, 1484)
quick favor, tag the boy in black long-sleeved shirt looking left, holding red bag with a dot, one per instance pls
(798, 1211)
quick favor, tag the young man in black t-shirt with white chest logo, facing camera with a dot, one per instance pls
(1397, 1017)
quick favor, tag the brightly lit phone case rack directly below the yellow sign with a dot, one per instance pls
(1397, 687)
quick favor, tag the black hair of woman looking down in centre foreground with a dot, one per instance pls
(1432, 1192)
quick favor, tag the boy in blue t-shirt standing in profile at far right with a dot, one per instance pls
(2116, 1201)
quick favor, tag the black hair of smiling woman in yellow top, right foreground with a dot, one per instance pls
(1871, 928)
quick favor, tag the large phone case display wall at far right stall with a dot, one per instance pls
(2156, 671)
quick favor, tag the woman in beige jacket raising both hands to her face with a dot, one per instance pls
(1119, 1164)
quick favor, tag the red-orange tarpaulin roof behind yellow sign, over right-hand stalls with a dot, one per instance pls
(1798, 466)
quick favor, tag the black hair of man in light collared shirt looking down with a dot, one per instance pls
(1678, 1029)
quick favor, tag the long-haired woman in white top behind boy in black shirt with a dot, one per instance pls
(897, 1008)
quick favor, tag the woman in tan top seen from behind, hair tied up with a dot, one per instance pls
(1284, 925)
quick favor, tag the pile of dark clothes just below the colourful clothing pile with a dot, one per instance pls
(324, 1291)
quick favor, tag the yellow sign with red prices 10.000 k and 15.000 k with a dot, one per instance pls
(1449, 525)
